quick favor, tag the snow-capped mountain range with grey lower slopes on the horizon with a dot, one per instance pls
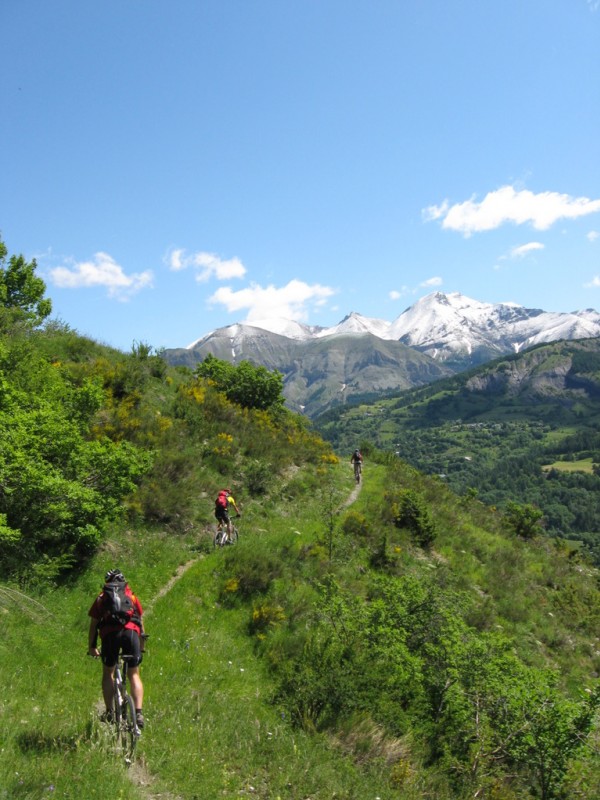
(439, 335)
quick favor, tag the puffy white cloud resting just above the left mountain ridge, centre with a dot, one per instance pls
(288, 302)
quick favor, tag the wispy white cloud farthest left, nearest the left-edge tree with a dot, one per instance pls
(104, 271)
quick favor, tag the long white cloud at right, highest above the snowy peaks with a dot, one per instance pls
(509, 205)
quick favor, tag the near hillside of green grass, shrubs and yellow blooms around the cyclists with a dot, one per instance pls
(391, 641)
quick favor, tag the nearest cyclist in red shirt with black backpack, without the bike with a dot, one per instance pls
(117, 635)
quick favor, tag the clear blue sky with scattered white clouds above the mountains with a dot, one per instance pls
(179, 165)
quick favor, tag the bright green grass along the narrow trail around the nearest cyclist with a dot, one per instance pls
(211, 728)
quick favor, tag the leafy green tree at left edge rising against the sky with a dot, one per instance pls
(20, 288)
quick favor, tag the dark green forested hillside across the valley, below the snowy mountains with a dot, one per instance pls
(523, 429)
